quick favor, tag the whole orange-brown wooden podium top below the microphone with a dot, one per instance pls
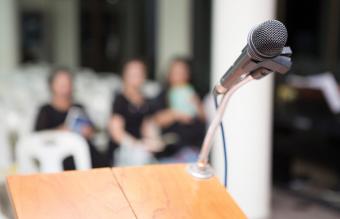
(155, 191)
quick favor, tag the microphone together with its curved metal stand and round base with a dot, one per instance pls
(264, 53)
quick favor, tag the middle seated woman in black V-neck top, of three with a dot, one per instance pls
(130, 126)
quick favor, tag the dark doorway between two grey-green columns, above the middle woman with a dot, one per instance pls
(114, 30)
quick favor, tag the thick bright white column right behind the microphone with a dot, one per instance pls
(248, 118)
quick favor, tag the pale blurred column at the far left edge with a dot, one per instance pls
(9, 37)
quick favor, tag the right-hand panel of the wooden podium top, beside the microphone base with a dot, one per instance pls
(168, 191)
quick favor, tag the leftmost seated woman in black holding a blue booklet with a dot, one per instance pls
(54, 115)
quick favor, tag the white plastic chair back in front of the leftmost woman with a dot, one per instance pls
(49, 149)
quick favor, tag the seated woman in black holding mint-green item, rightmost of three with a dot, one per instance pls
(180, 112)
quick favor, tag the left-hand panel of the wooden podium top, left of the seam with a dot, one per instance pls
(76, 194)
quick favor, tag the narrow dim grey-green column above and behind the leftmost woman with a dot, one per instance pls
(66, 27)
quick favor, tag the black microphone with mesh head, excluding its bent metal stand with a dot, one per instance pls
(264, 53)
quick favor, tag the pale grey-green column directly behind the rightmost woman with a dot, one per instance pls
(173, 32)
